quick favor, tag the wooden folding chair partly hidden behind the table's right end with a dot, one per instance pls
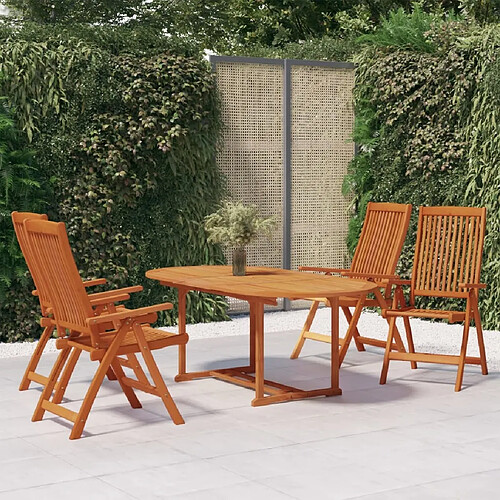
(376, 256)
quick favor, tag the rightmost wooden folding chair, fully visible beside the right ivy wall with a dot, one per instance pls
(447, 264)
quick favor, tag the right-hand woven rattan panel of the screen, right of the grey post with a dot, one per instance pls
(322, 124)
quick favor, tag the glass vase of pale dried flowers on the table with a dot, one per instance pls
(236, 225)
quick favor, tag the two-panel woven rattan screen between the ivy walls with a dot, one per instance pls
(253, 98)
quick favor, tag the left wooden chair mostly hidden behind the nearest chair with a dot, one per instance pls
(102, 302)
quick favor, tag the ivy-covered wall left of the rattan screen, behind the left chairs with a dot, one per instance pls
(126, 143)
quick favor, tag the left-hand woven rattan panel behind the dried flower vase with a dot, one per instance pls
(252, 153)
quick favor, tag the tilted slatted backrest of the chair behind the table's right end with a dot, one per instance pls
(382, 238)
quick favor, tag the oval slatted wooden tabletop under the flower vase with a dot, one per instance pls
(259, 282)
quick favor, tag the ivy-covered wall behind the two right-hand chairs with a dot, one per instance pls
(427, 127)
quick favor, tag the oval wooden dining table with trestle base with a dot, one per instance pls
(261, 286)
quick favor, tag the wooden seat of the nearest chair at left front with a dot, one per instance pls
(155, 338)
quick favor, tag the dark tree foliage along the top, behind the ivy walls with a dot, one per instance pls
(229, 25)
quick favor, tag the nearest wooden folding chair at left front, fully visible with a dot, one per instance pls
(103, 336)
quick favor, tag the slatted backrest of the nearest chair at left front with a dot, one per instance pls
(51, 251)
